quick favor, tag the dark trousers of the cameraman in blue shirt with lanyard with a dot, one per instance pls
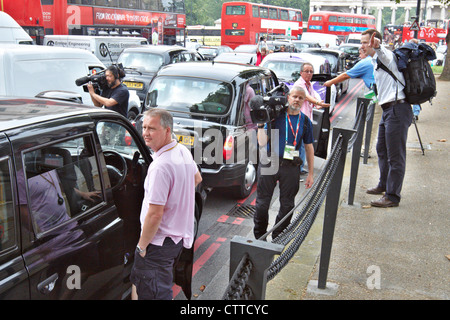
(289, 182)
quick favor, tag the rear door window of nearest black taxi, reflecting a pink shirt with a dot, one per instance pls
(62, 181)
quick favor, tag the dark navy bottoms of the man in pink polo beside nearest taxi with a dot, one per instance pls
(153, 274)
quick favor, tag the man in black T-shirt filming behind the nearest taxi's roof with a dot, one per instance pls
(115, 95)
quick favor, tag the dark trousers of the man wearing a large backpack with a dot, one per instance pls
(391, 148)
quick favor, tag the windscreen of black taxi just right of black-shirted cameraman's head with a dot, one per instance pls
(142, 61)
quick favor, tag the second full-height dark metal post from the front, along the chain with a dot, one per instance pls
(361, 104)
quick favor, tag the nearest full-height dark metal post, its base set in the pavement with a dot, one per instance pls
(332, 203)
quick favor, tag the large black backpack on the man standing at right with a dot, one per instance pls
(412, 61)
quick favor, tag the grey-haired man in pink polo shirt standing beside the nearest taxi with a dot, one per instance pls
(167, 214)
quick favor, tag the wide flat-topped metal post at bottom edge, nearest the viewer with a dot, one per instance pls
(261, 253)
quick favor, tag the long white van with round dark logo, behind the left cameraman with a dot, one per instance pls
(106, 48)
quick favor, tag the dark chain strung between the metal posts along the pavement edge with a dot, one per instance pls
(294, 234)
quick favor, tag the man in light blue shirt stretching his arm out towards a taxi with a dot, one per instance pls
(362, 69)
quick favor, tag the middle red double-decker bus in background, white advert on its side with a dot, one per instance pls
(246, 22)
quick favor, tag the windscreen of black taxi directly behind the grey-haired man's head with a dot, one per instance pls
(191, 95)
